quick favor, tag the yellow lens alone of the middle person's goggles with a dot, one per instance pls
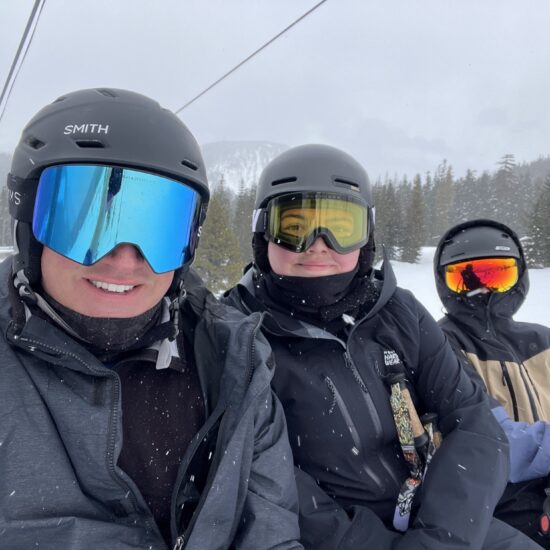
(294, 221)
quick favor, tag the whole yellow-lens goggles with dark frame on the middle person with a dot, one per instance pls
(294, 221)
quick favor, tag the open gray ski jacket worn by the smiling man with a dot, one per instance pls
(61, 435)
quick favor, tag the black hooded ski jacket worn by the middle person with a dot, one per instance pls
(343, 436)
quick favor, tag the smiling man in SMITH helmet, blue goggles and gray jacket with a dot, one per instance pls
(136, 410)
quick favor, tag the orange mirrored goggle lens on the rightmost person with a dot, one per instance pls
(495, 274)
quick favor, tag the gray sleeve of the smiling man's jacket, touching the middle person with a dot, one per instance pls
(270, 514)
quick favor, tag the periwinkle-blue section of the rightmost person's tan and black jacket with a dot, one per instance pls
(529, 447)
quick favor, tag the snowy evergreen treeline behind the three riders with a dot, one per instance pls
(410, 214)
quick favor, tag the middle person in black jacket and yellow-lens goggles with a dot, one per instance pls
(366, 377)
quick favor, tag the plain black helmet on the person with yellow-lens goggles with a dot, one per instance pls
(312, 168)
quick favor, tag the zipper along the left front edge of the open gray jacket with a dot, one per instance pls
(114, 419)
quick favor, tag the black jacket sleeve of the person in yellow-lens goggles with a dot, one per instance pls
(469, 471)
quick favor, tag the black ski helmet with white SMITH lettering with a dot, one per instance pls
(105, 126)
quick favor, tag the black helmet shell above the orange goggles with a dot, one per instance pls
(479, 239)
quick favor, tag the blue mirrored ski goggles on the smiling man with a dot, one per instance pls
(84, 211)
